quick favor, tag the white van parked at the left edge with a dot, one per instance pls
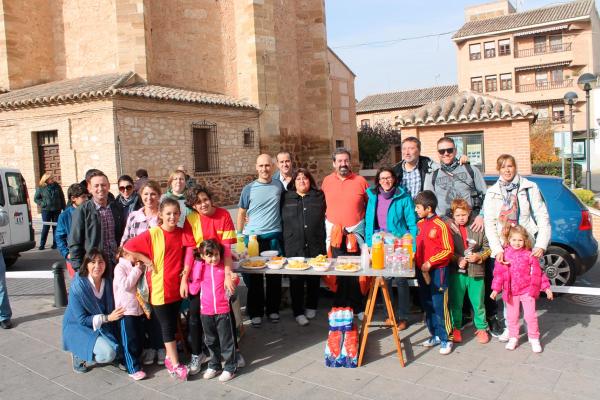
(17, 236)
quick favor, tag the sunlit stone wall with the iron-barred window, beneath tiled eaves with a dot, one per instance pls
(157, 136)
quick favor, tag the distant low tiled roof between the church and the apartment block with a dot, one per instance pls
(404, 99)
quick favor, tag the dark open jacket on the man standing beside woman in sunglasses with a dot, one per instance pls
(86, 231)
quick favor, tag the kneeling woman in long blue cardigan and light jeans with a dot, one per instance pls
(89, 329)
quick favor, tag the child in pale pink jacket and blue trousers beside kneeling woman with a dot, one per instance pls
(126, 276)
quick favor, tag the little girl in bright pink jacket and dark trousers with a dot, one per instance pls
(208, 277)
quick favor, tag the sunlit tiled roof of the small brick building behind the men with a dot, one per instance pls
(465, 107)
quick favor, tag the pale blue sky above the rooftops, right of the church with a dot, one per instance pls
(365, 33)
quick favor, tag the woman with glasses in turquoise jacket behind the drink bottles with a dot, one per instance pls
(391, 209)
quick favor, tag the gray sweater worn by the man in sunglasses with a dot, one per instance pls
(457, 184)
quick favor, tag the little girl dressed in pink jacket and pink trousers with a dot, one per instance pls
(521, 279)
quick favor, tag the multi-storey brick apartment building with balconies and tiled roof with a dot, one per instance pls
(532, 57)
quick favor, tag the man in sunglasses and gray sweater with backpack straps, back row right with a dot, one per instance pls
(453, 181)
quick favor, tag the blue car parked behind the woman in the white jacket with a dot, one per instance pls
(573, 249)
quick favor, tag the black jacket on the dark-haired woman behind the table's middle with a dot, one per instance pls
(303, 223)
